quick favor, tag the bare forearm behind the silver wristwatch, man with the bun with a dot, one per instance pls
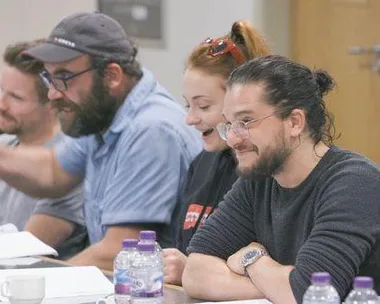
(272, 279)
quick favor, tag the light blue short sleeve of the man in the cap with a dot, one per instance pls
(148, 177)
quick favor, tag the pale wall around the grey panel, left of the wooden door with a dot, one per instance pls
(186, 24)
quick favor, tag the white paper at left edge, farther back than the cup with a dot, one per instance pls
(22, 244)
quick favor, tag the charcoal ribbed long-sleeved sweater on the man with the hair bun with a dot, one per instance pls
(330, 222)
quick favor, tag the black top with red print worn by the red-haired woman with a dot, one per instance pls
(209, 178)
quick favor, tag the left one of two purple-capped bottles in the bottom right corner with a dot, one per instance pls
(321, 291)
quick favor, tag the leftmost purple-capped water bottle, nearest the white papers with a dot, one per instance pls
(122, 271)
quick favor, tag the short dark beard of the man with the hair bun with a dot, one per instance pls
(268, 164)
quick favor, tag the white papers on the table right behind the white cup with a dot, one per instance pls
(65, 282)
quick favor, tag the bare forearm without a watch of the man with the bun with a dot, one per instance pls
(209, 278)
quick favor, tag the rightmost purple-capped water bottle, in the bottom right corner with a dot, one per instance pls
(363, 292)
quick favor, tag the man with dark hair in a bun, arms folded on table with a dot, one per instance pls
(302, 205)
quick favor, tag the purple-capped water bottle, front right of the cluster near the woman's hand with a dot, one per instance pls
(148, 276)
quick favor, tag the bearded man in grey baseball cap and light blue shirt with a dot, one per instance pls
(129, 142)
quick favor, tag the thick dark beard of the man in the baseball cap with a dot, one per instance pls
(94, 115)
